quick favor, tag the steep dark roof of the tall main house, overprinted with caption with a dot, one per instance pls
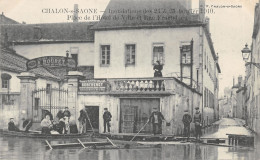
(122, 14)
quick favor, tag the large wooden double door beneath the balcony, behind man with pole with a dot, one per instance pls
(134, 113)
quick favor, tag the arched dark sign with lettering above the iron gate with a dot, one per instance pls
(51, 61)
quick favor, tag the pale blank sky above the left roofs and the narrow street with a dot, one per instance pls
(231, 28)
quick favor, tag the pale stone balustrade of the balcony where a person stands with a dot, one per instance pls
(138, 84)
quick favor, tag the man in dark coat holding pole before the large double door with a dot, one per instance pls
(156, 118)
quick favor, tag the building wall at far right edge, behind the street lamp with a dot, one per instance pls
(253, 78)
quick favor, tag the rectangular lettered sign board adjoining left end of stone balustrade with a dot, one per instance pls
(92, 85)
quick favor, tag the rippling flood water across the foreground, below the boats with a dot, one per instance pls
(25, 148)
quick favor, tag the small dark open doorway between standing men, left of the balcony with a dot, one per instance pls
(93, 114)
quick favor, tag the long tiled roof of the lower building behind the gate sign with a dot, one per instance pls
(49, 32)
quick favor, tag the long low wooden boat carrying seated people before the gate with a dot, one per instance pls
(35, 134)
